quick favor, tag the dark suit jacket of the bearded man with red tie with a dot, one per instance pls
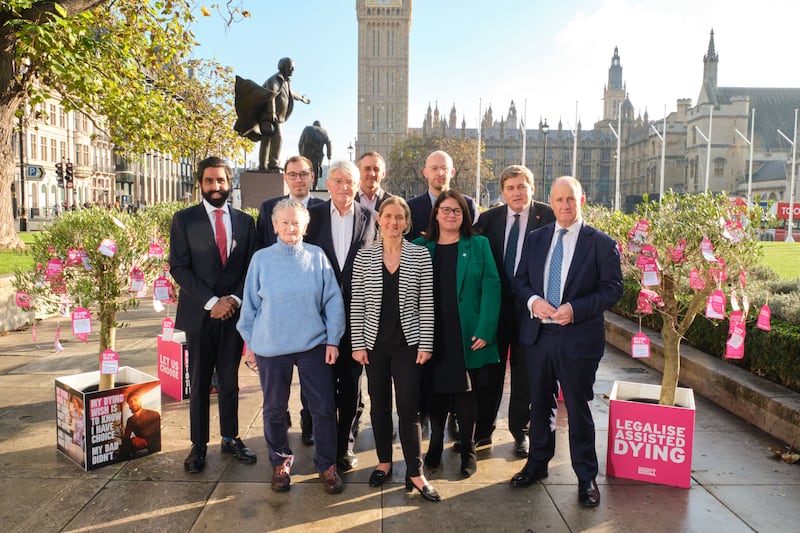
(196, 266)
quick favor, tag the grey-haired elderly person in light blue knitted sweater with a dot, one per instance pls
(293, 314)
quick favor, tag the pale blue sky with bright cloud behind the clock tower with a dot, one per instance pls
(546, 56)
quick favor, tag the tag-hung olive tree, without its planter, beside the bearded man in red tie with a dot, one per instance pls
(90, 276)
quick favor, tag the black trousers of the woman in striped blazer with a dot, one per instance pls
(398, 364)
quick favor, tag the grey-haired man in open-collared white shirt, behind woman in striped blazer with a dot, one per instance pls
(341, 227)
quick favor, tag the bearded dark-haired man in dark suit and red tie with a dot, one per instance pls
(210, 249)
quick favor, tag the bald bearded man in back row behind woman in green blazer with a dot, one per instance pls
(438, 172)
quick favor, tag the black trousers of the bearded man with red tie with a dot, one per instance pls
(217, 346)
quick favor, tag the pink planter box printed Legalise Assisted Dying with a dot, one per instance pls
(650, 442)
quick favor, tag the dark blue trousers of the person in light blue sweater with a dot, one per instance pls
(316, 385)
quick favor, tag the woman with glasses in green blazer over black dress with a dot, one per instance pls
(466, 290)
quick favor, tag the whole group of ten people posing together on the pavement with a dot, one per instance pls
(426, 295)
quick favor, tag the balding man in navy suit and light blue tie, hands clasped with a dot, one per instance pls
(569, 274)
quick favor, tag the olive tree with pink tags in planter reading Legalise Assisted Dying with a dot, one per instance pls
(691, 255)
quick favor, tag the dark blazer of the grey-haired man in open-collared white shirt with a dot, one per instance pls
(319, 233)
